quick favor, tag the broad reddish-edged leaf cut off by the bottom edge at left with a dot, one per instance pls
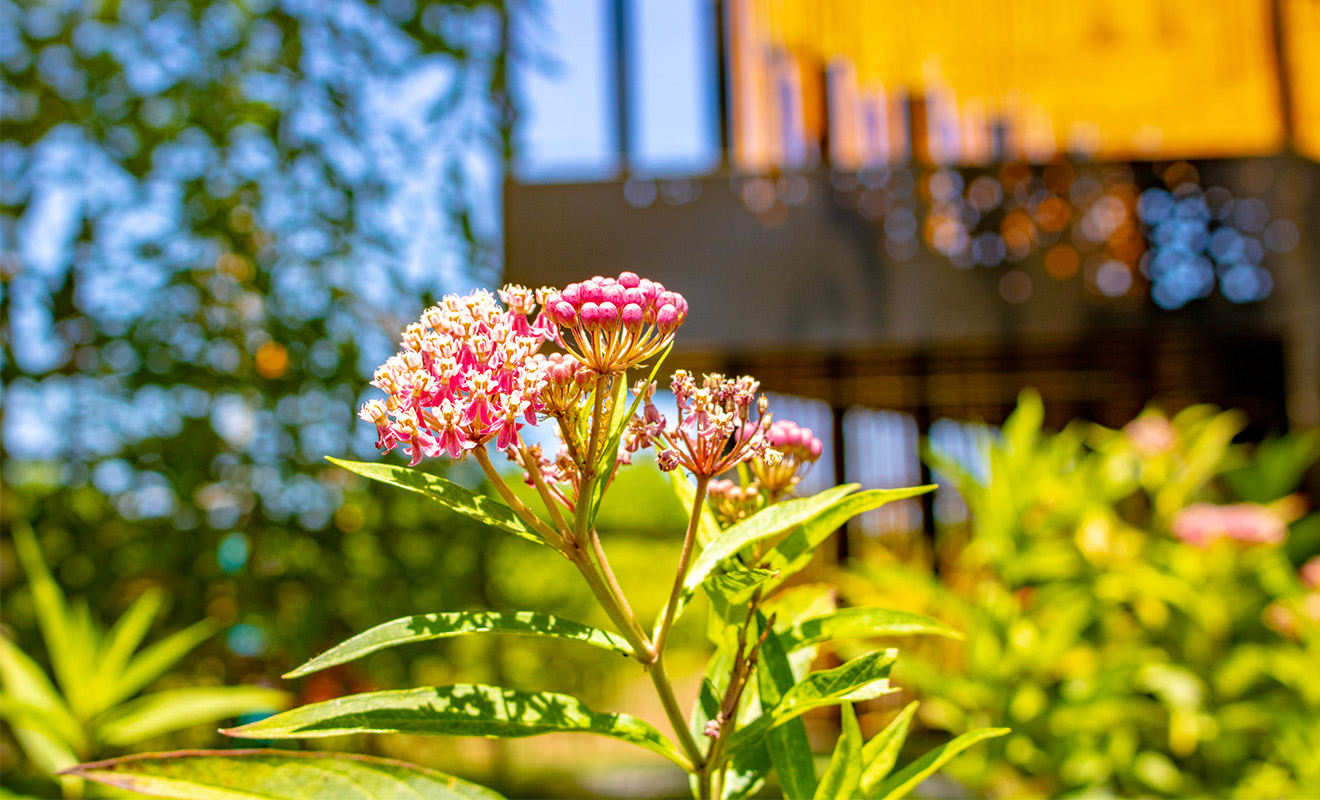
(277, 776)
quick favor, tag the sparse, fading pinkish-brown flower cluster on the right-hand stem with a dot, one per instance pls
(715, 432)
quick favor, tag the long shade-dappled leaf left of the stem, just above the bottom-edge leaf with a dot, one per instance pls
(459, 711)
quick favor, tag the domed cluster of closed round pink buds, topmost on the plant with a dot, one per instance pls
(616, 324)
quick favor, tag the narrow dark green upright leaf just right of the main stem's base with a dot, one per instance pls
(789, 748)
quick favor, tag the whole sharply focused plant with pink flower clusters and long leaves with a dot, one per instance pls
(469, 376)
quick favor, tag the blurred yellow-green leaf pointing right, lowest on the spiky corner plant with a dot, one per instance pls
(167, 712)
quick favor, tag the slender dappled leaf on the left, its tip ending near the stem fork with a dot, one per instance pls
(426, 628)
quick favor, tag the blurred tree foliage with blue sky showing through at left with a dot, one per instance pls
(214, 220)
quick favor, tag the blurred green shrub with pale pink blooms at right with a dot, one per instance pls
(1135, 611)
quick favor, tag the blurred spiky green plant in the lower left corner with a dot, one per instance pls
(100, 675)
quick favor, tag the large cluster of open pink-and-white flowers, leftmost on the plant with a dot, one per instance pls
(467, 376)
